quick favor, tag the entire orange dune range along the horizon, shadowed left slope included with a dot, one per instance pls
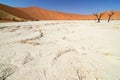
(35, 13)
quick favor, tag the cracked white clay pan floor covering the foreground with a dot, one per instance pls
(60, 50)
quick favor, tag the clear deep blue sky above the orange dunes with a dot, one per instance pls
(70, 6)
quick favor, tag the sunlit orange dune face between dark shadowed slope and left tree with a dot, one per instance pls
(43, 14)
